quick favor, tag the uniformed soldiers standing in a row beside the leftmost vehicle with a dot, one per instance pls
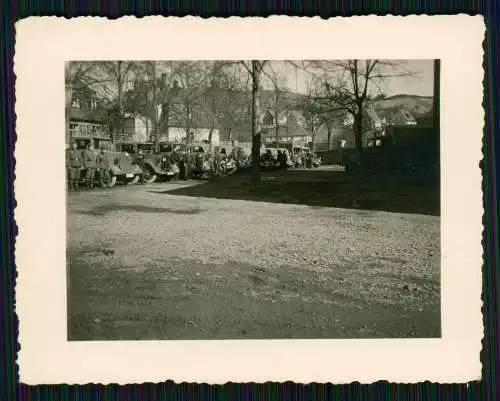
(95, 165)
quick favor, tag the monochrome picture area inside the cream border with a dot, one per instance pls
(255, 199)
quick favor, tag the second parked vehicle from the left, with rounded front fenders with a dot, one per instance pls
(158, 162)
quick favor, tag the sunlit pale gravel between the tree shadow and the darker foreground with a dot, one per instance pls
(388, 259)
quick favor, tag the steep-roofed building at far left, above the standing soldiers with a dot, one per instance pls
(85, 121)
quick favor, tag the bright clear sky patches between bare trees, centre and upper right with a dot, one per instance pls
(420, 84)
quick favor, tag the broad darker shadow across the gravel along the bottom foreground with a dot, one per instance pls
(188, 300)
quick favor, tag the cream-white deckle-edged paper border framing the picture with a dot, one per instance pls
(44, 44)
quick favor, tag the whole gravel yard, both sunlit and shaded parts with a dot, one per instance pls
(262, 268)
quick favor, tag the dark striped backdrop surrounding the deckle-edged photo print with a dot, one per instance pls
(477, 389)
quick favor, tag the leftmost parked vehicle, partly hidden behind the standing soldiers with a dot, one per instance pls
(122, 168)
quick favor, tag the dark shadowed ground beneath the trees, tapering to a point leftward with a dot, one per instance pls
(394, 192)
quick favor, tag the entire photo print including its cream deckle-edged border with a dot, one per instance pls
(260, 199)
